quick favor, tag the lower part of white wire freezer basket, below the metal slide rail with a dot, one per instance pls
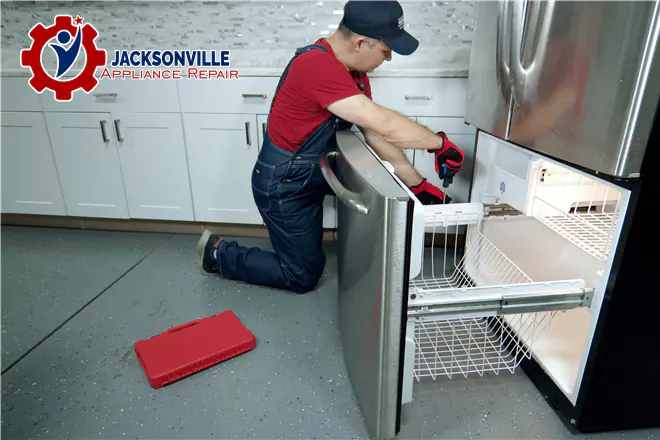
(478, 345)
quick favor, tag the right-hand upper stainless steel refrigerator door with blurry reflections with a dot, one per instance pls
(586, 81)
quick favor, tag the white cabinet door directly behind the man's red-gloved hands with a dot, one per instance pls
(464, 137)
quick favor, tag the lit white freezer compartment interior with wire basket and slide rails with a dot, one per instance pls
(485, 275)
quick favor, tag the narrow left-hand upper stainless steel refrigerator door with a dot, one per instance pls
(489, 83)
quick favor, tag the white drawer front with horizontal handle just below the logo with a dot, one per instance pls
(135, 96)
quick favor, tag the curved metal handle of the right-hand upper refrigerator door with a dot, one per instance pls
(528, 17)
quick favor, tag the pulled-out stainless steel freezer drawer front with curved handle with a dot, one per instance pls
(374, 239)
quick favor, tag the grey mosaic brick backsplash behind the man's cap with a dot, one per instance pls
(259, 33)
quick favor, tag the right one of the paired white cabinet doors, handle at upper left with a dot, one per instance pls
(154, 166)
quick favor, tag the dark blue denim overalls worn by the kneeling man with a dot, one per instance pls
(288, 189)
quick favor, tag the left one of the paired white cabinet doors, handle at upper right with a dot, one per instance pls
(86, 158)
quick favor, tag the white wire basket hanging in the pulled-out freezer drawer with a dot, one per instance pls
(446, 346)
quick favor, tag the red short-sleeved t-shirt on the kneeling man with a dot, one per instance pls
(315, 80)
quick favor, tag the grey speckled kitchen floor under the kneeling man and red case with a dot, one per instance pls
(75, 301)
